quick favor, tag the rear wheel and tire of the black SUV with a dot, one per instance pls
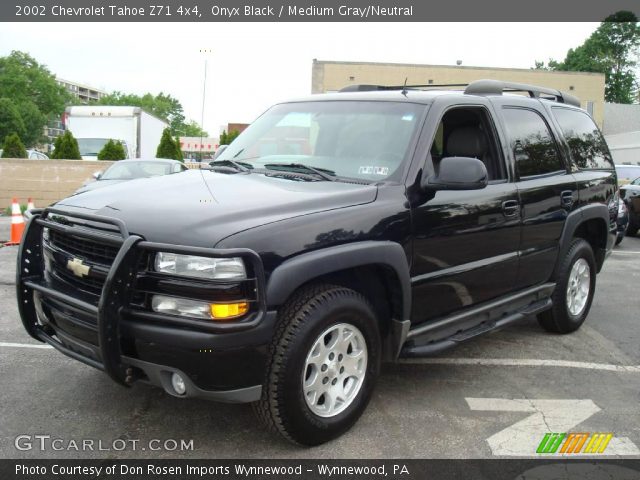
(569, 311)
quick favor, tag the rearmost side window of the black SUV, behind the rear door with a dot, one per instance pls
(588, 148)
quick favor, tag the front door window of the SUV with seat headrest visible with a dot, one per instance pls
(468, 132)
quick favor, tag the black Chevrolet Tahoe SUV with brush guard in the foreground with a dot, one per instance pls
(336, 232)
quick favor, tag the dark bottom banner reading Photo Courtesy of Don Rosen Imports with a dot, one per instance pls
(523, 469)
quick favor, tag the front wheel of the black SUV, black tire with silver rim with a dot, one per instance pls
(303, 345)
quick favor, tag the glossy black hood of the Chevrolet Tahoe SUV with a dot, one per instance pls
(200, 208)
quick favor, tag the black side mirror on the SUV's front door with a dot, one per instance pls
(458, 173)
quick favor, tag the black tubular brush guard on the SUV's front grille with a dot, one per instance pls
(117, 290)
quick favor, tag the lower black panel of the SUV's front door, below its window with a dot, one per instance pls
(465, 250)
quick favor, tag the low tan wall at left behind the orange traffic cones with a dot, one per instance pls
(45, 181)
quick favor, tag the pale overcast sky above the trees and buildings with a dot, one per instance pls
(253, 65)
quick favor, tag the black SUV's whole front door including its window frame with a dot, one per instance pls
(465, 248)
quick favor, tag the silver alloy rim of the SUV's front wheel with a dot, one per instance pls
(335, 370)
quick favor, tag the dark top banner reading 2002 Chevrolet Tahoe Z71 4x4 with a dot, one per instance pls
(307, 10)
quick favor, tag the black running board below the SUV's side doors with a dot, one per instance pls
(539, 301)
